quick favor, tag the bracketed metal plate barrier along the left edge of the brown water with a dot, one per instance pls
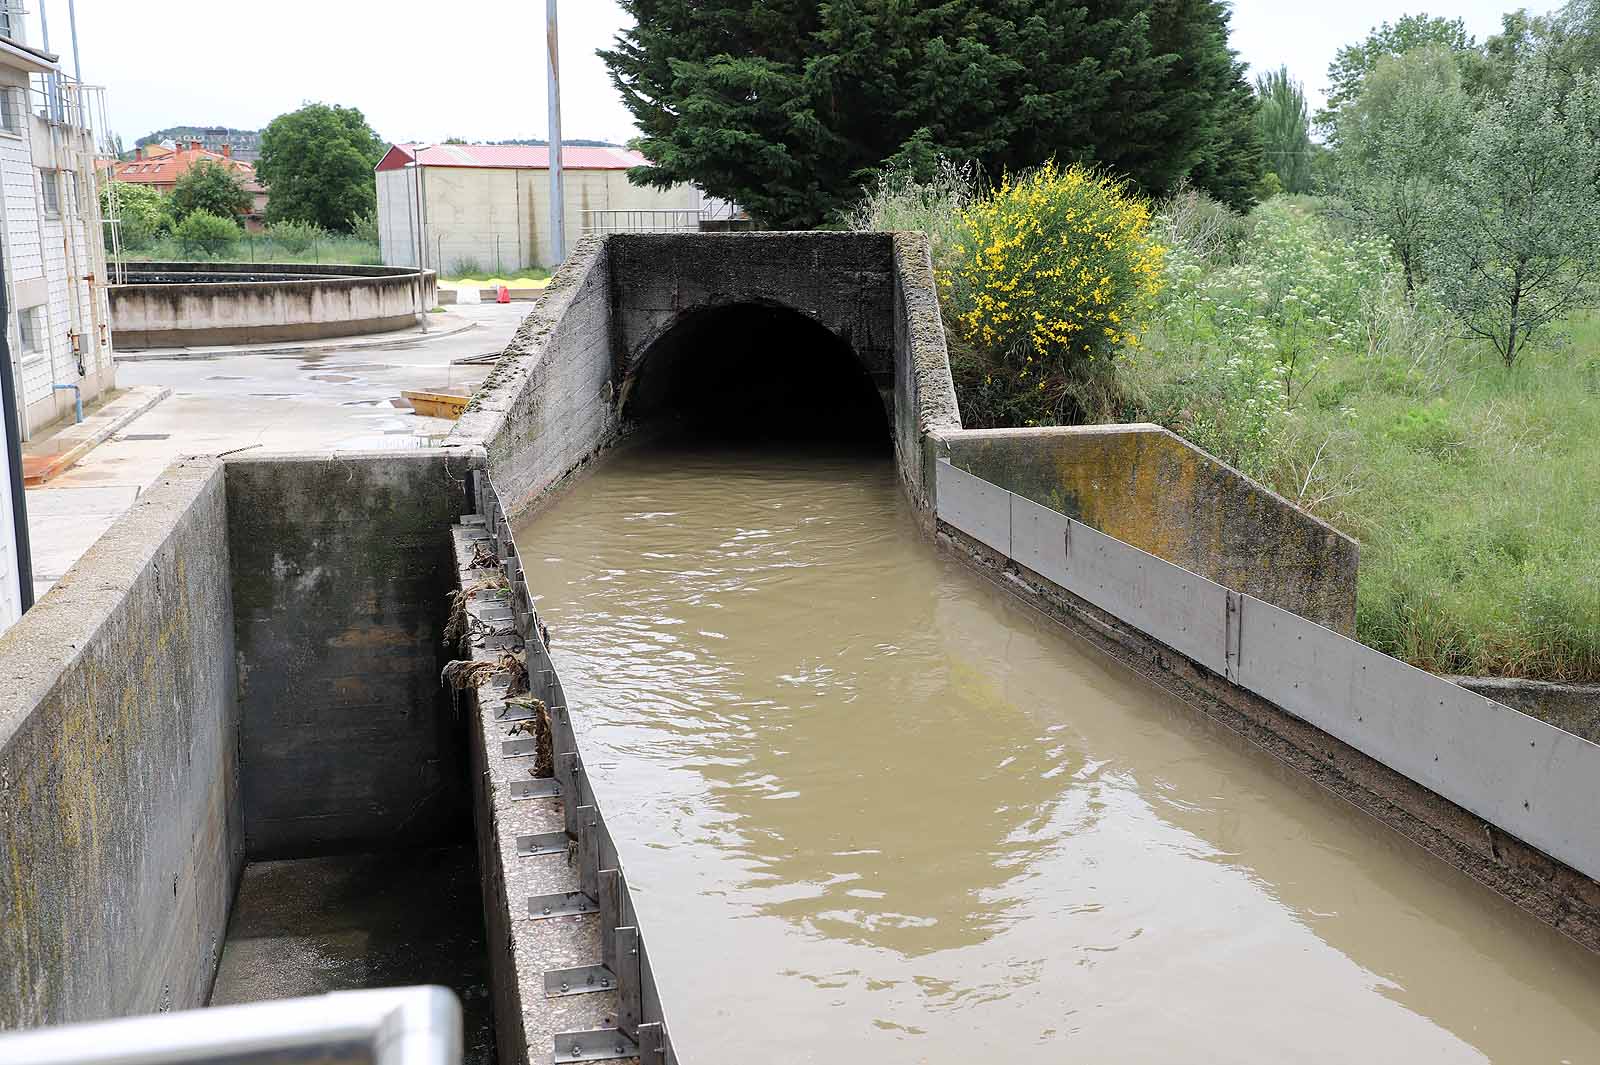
(623, 965)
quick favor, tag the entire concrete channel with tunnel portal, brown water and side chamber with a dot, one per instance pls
(886, 740)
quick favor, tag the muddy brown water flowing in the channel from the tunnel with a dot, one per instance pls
(876, 810)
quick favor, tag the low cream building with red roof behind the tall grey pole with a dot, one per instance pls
(487, 207)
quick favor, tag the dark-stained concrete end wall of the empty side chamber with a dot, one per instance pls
(342, 567)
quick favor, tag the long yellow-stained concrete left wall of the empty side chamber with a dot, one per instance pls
(121, 837)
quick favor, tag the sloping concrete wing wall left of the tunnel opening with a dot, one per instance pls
(548, 405)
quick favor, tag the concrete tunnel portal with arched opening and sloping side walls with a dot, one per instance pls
(786, 333)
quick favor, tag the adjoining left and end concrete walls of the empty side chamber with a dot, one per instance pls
(246, 666)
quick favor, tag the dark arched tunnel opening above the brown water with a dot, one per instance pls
(756, 373)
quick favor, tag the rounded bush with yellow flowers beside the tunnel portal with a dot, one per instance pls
(1049, 276)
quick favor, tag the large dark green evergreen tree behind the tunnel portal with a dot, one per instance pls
(790, 106)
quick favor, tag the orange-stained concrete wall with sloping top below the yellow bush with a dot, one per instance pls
(1148, 487)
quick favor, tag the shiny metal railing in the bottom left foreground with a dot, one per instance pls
(404, 1026)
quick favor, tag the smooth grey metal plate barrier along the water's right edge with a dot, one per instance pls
(1526, 776)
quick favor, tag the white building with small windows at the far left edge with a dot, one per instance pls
(57, 308)
